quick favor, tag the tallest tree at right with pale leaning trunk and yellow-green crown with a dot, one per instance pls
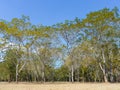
(100, 28)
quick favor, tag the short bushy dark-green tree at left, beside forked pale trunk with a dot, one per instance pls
(11, 60)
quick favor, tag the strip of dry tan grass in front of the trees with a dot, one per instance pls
(59, 86)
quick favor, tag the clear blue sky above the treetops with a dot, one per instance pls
(49, 12)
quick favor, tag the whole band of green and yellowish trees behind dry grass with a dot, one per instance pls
(81, 50)
